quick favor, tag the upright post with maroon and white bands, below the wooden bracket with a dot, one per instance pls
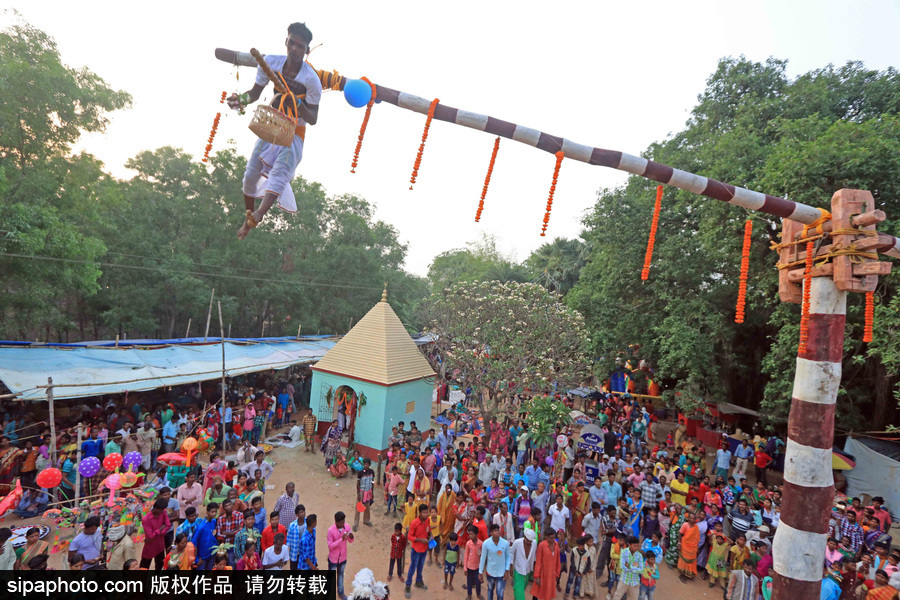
(799, 545)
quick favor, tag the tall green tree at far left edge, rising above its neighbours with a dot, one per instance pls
(51, 200)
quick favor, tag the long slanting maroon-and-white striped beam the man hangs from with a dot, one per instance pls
(621, 161)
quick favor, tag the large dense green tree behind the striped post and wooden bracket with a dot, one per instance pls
(802, 138)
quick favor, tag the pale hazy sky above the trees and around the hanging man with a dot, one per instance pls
(613, 75)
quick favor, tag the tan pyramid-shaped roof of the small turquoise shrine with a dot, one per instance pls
(377, 349)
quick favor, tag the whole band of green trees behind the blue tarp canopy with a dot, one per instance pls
(86, 256)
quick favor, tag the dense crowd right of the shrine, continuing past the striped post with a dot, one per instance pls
(498, 508)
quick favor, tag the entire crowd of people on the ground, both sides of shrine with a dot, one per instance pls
(558, 519)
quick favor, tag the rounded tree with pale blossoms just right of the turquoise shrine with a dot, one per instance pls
(506, 338)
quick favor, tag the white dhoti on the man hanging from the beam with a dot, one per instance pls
(271, 168)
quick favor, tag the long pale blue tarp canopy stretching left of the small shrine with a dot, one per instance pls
(91, 371)
